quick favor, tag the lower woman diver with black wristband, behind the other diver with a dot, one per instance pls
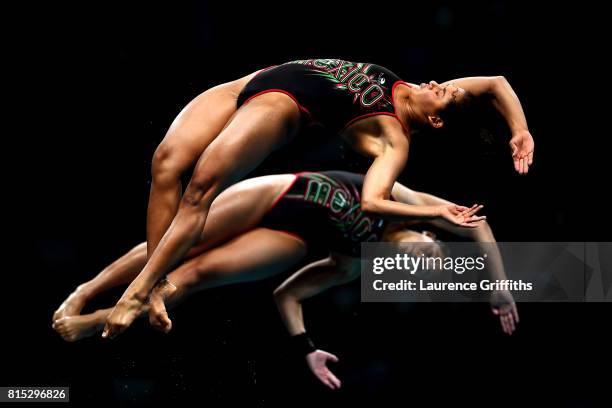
(264, 226)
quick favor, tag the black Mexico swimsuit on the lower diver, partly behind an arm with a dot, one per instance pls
(324, 210)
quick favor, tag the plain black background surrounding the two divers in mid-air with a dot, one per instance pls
(100, 84)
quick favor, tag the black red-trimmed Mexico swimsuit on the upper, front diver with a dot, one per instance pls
(332, 92)
